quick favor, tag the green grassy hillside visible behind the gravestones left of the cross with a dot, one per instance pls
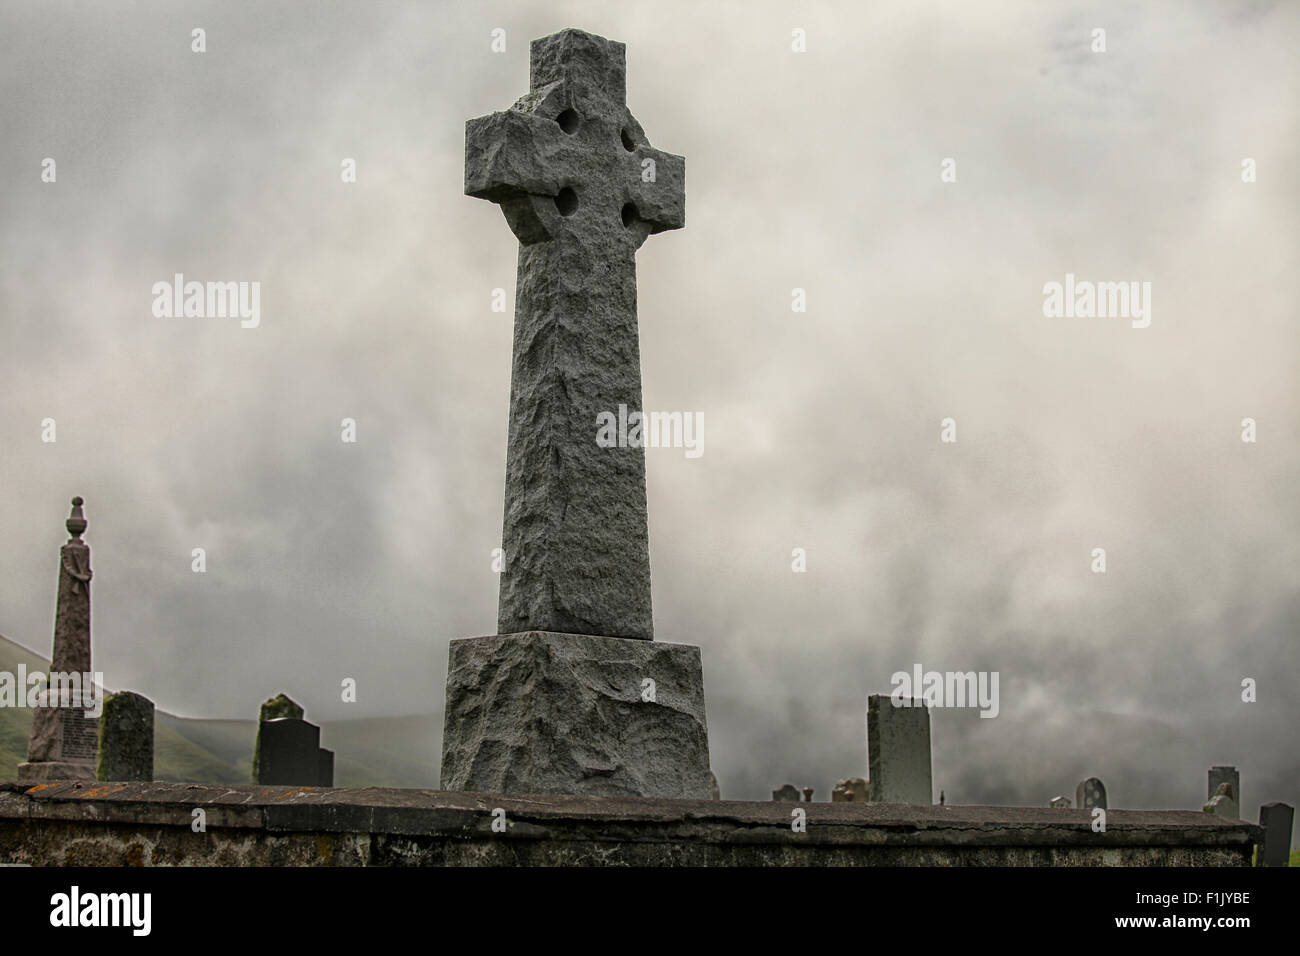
(376, 752)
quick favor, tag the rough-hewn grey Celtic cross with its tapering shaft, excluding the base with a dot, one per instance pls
(582, 189)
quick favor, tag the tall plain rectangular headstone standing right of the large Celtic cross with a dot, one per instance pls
(899, 752)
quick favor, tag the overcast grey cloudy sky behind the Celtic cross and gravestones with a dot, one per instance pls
(818, 171)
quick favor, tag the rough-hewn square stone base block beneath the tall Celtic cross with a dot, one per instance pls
(541, 712)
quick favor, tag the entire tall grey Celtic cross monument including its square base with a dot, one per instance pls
(574, 695)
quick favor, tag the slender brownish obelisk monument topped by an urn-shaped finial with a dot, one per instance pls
(64, 738)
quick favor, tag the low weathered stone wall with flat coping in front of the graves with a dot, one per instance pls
(155, 824)
